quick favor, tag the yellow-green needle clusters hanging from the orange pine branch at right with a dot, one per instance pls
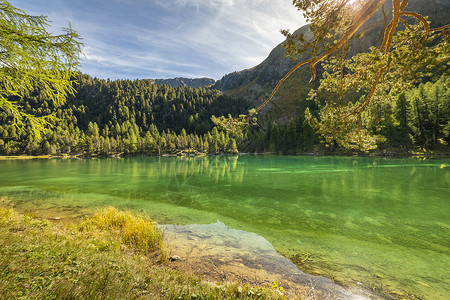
(380, 76)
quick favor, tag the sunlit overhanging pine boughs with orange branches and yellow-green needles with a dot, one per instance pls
(401, 58)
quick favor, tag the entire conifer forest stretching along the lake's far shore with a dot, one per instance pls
(124, 117)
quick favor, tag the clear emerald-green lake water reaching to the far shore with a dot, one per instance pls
(379, 224)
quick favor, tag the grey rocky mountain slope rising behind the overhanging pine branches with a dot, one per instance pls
(256, 83)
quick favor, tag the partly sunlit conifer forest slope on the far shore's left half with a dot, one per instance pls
(125, 117)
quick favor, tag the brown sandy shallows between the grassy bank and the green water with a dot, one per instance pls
(219, 253)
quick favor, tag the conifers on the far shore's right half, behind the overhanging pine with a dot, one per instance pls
(419, 120)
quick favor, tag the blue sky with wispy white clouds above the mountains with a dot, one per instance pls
(128, 39)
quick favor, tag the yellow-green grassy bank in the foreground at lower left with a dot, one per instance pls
(111, 255)
